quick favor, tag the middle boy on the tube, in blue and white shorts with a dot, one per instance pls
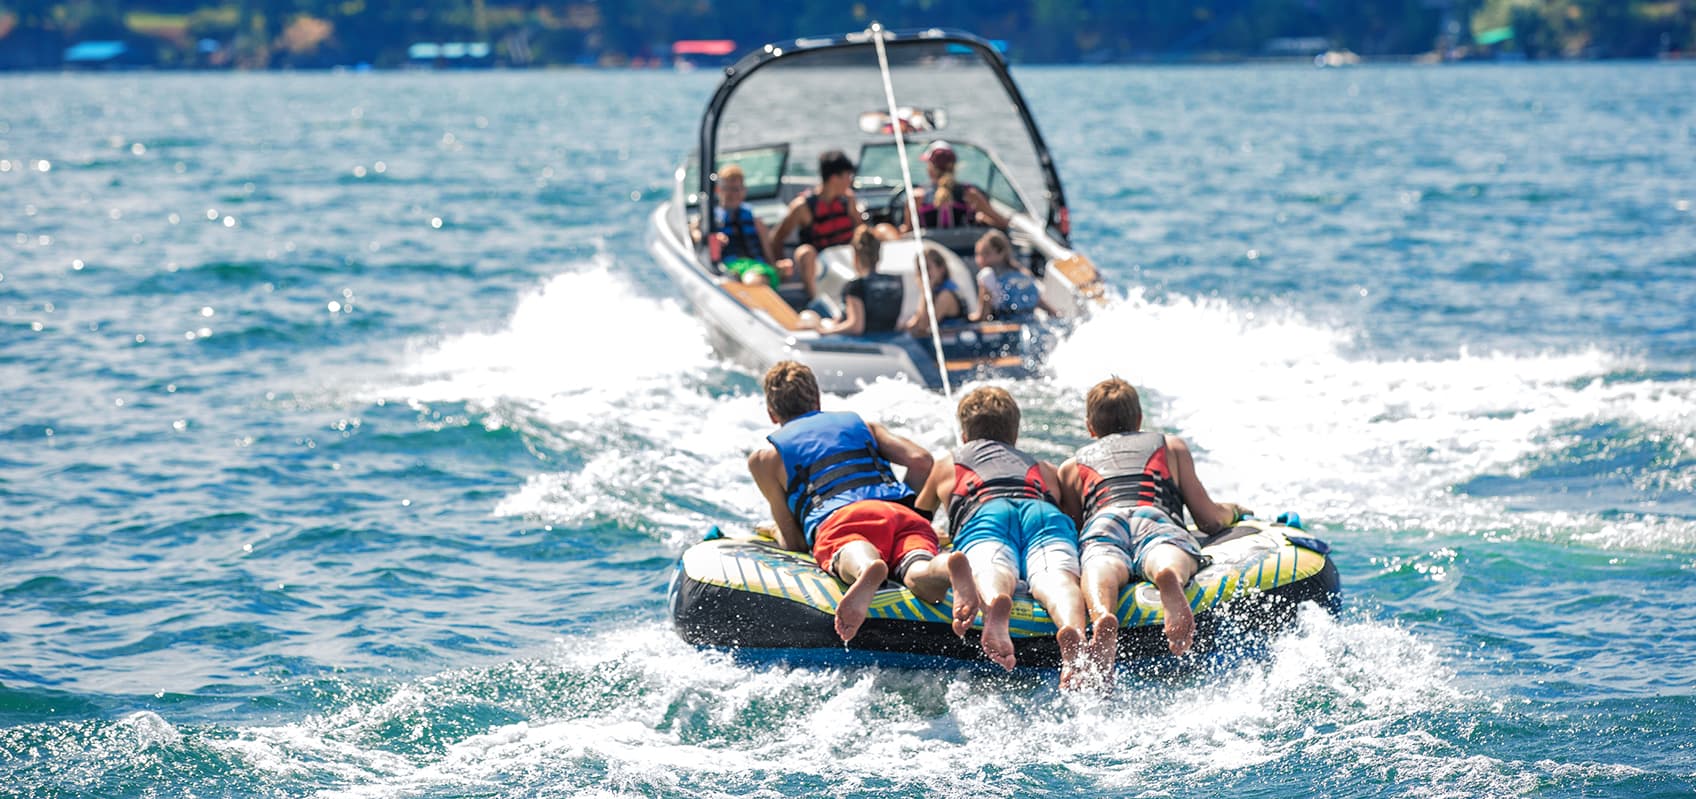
(1005, 513)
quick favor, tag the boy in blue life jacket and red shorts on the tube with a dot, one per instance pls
(834, 493)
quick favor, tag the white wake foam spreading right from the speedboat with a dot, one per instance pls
(1286, 418)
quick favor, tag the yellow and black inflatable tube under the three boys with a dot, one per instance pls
(750, 595)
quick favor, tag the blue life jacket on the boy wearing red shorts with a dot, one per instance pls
(830, 462)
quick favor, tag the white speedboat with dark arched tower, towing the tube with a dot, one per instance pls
(784, 104)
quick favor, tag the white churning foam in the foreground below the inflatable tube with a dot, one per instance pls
(639, 712)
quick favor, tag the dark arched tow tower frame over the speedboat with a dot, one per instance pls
(956, 42)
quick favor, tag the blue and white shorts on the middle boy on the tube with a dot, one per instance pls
(1025, 537)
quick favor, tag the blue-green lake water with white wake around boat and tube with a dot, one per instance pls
(349, 439)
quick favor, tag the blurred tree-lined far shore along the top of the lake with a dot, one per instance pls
(323, 33)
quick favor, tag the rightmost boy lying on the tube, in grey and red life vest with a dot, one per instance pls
(1129, 491)
